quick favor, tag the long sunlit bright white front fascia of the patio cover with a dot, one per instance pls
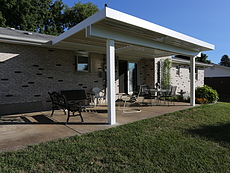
(126, 18)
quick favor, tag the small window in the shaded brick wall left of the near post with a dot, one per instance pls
(82, 63)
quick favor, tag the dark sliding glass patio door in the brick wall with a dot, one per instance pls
(127, 77)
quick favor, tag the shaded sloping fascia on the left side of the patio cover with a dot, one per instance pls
(82, 25)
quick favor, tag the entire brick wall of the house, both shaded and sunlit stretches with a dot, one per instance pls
(28, 73)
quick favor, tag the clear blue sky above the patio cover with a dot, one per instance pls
(207, 20)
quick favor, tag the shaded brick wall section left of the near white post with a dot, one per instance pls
(28, 73)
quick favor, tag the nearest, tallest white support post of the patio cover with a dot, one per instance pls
(110, 56)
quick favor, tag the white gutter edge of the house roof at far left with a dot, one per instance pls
(18, 39)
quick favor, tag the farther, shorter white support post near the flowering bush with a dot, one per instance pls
(192, 80)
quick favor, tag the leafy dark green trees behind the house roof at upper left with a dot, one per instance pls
(43, 16)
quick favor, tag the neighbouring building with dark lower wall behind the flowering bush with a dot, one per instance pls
(218, 77)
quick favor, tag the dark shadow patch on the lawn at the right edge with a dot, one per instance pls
(217, 133)
